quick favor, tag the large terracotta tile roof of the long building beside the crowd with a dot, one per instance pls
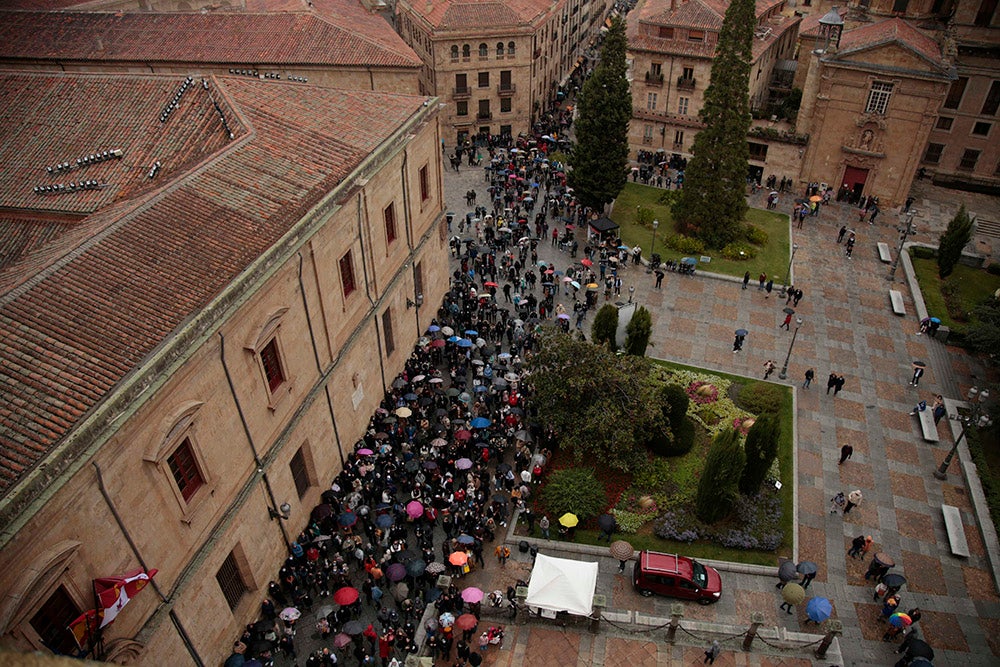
(82, 312)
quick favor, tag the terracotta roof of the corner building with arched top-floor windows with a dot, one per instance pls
(460, 14)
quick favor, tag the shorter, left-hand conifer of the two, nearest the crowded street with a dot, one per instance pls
(604, 107)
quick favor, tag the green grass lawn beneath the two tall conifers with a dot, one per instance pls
(771, 259)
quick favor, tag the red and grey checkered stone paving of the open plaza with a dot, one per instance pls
(850, 329)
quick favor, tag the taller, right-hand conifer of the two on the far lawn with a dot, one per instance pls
(713, 200)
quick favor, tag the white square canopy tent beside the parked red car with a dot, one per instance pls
(559, 584)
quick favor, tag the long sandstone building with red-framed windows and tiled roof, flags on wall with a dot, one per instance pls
(194, 351)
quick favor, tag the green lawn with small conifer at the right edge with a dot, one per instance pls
(970, 287)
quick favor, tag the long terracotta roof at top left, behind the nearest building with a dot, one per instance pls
(237, 38)
